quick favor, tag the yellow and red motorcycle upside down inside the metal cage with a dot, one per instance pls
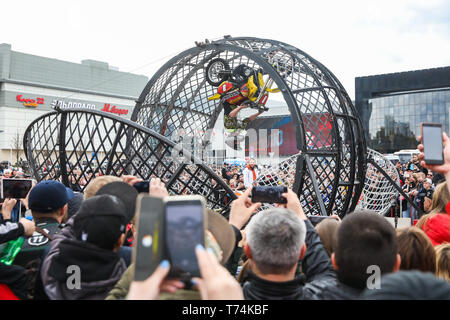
(242, 85)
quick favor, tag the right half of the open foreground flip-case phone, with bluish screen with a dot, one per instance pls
(185, 222)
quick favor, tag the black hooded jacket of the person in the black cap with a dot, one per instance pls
(99, 270)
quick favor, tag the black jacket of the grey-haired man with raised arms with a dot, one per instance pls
(317, 269)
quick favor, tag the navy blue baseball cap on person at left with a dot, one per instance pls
(48, 196)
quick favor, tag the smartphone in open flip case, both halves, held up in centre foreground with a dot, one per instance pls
(169, 229)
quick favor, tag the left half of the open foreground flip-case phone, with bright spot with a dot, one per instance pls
(149, 249)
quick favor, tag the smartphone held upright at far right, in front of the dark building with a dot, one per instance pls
(432, 142)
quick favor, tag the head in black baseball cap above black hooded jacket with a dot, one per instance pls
(100, 221)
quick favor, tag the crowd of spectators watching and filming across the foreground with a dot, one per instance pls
(277, 253)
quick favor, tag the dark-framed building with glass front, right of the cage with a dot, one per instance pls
(392, 106)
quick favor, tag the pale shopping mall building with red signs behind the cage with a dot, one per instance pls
(31, 86)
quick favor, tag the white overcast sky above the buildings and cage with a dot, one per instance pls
(351, 38)
